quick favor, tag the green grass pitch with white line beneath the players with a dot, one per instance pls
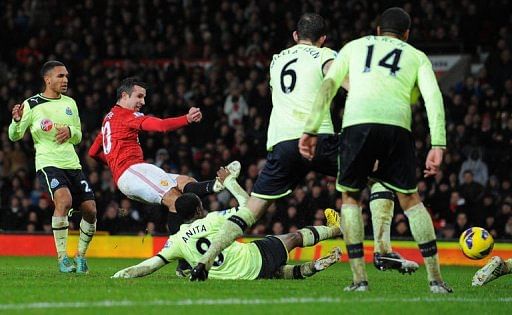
(34, 286)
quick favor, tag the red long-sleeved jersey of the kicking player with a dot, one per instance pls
(119, 137)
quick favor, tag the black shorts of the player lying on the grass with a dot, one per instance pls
(273, 256)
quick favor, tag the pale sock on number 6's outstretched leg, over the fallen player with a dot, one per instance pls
(232, 229)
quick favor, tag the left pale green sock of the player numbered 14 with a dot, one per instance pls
(353, 233)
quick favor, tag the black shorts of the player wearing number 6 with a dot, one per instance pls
(285, 167)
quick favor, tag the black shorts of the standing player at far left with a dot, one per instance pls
(53, 178)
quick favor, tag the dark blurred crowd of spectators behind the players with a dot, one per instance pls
(215, 55)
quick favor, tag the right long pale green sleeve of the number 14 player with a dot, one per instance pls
(433, 98)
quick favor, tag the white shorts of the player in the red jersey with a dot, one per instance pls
(146, 183)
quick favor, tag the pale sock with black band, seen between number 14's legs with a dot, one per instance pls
(381, 206)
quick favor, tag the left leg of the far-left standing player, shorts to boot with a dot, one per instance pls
(55, 182)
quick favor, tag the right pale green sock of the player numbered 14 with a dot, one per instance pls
(422, 230)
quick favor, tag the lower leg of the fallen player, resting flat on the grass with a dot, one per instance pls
(309, 269)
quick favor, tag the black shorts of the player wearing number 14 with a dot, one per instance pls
(362, 145)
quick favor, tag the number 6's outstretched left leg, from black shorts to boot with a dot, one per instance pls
(275, 181)
